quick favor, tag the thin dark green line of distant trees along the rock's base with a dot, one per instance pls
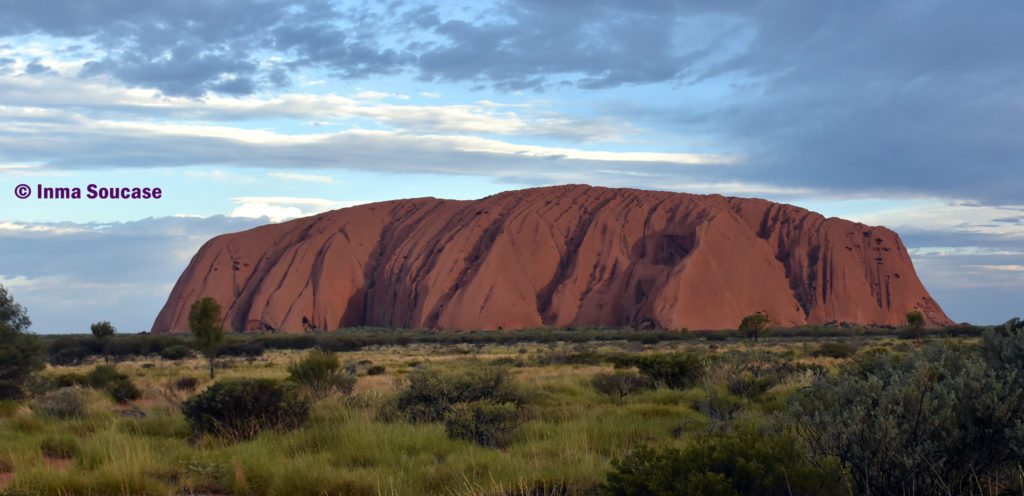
(72, 349)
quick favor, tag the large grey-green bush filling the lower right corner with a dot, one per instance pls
(934, 423)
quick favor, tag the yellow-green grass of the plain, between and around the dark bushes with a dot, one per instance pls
(567, 445)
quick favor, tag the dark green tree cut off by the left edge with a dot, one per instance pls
(20, 352)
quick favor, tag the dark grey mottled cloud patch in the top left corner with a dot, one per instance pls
(192, 48)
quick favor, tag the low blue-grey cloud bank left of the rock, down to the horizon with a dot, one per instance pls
(71, 275)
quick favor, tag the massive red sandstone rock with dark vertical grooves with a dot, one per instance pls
(572, 256)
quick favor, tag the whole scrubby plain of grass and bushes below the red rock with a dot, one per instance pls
(843, 411)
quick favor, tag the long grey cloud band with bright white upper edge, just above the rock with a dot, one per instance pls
(71, 141)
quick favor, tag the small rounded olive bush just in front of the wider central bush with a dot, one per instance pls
(484, 423)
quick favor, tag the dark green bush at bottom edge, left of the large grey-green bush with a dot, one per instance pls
(746, 461)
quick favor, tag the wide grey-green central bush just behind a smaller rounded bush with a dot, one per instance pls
(432, 394)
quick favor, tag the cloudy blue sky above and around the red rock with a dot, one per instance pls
(907, 114)
